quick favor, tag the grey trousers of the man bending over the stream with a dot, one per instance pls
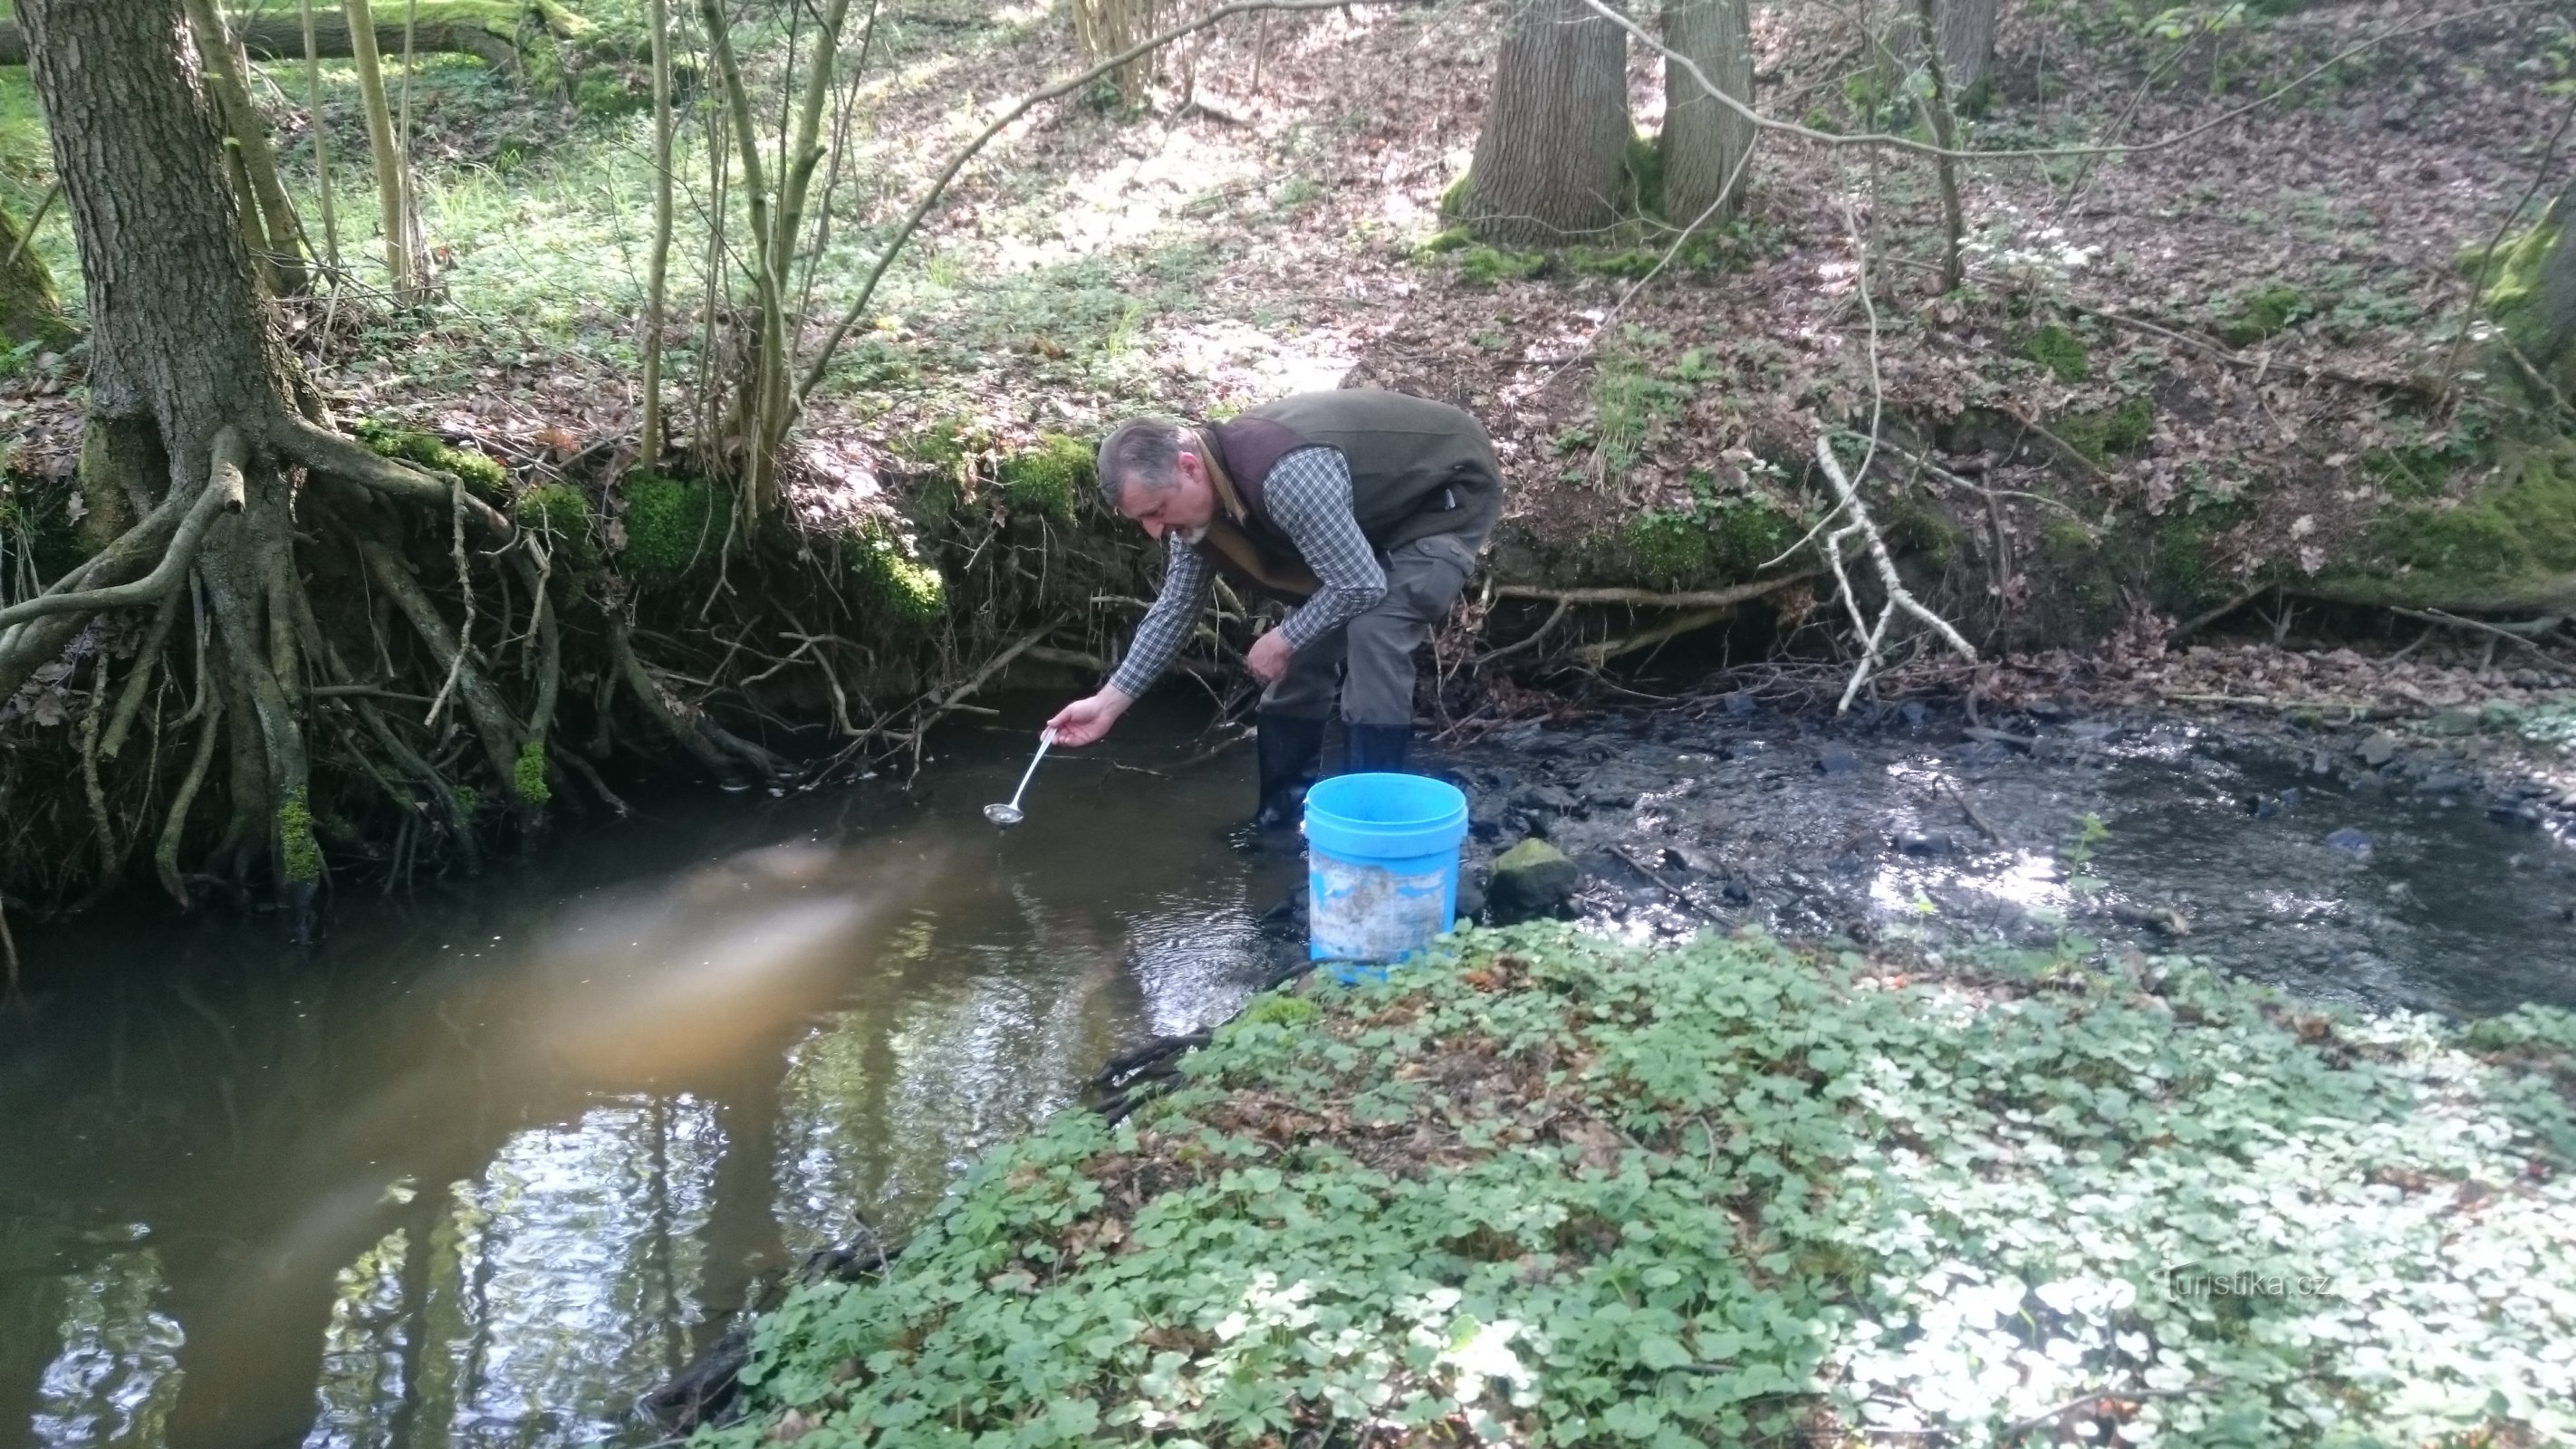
(1372, 658)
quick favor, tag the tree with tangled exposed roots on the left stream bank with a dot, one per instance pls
(205, 421)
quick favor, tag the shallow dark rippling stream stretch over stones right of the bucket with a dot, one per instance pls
(2338, 863)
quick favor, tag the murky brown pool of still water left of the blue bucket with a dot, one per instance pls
(486, 1172)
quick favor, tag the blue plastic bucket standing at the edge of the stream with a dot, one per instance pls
(1382, 866)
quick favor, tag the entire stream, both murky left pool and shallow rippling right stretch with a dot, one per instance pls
(493, 1162)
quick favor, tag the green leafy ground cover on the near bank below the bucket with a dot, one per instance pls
(1560, 1190)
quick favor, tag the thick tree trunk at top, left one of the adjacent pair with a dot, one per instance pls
(1555, 130)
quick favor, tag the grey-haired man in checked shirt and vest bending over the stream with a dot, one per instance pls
(1361, 508)
